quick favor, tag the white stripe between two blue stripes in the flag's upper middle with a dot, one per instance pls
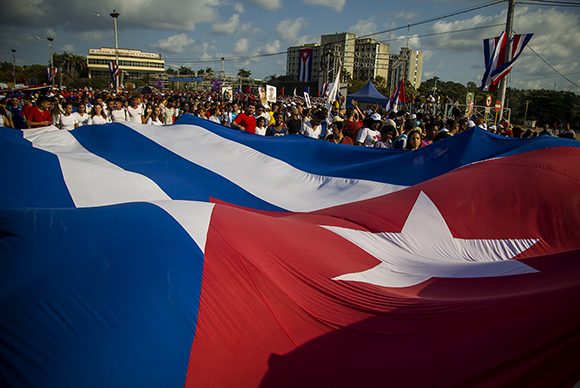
(268, 178)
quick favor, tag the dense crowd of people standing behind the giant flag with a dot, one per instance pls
(369, 126)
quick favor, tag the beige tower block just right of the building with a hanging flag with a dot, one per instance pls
(371, 59)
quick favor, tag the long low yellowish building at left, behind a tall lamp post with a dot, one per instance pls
(135, 63)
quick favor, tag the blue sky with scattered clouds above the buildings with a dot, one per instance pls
(190, 32)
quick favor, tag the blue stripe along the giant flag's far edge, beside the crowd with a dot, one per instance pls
(380, 165)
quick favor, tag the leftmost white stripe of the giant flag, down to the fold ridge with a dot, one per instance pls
(90, 179)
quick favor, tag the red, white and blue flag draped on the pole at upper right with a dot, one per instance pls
(496, 68)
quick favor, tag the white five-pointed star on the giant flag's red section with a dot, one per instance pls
(425, 248)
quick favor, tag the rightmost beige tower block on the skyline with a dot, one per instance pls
(408, 64)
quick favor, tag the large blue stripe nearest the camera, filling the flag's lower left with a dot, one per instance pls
(126, 313)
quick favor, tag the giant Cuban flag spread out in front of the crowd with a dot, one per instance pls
(194, 255)
